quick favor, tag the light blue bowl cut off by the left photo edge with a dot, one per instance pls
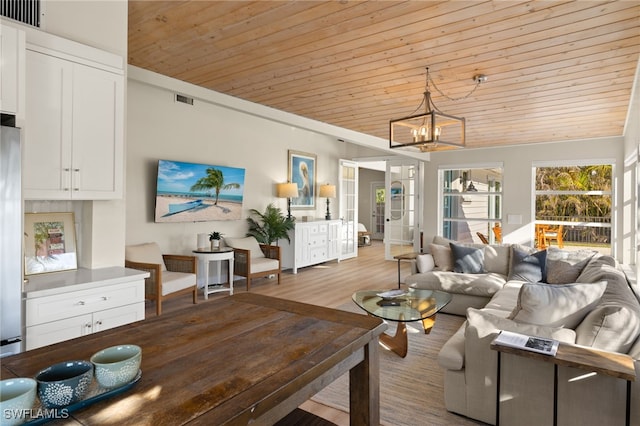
(16, 397)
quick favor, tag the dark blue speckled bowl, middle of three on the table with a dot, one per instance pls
(64, 383)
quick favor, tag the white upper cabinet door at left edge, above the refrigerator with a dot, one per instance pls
(12, 46)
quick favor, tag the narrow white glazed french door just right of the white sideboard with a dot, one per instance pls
(348, 196)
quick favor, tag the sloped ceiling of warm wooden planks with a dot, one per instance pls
(556, 70)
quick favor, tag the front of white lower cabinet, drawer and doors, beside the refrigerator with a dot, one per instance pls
(57, 317)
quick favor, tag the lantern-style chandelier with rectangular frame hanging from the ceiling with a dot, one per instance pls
(432, 130)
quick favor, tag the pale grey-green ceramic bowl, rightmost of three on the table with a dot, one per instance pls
(118, 365)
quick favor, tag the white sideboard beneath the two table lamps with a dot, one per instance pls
(311, 243)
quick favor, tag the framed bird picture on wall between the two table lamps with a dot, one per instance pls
(302, 170)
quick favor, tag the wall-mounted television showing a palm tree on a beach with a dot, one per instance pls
(191, 192)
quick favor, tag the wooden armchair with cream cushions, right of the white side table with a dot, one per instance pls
(253, 260)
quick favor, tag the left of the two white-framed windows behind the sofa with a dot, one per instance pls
(471, 204)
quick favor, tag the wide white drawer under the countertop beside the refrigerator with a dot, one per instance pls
(51, 308)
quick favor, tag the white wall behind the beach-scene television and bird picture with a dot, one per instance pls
(160, 128)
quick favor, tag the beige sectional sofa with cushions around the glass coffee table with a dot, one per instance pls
(586, 301)
